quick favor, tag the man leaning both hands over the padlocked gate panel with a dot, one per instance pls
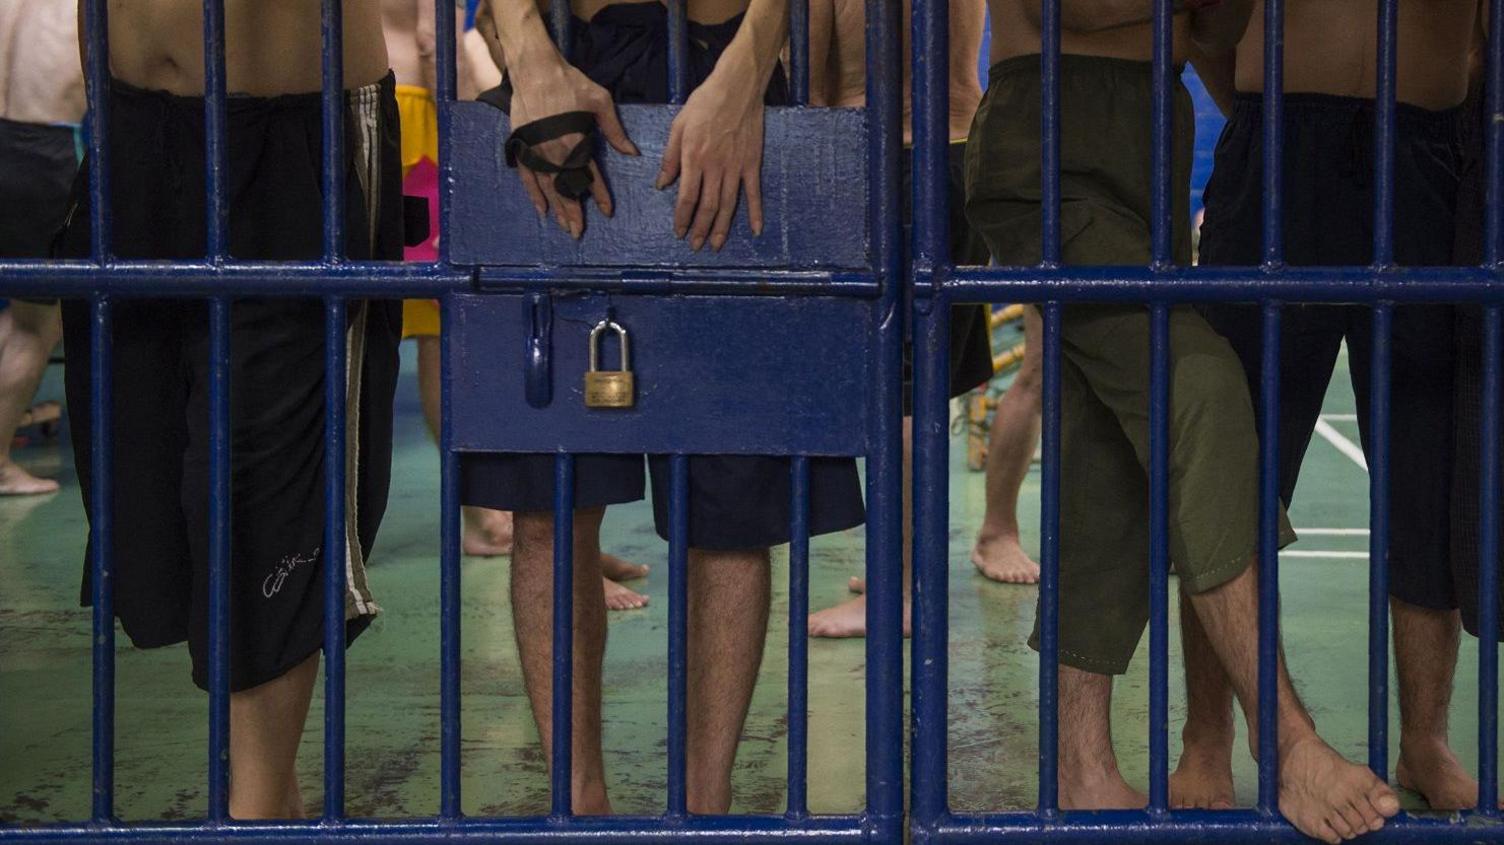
(739, 507)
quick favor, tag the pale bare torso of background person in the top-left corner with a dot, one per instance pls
(41, 80)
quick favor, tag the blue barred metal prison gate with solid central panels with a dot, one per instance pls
(778, 295)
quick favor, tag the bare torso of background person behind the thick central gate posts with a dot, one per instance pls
(838, 65)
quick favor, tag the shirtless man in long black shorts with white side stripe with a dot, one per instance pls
(160, 350)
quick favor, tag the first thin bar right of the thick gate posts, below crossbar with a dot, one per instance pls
(1051, 565)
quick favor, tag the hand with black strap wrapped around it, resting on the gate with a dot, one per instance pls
(557, 88)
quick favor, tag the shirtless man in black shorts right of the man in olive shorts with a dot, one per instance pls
(1329, 220)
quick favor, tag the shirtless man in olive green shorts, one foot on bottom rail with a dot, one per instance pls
(1106, 89)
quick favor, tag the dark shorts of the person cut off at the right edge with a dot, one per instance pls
(1467, 435)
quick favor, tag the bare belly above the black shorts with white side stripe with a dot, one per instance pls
(271, 46)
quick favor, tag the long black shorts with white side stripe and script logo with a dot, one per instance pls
(162, 371)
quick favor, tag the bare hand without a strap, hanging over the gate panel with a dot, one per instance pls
(714, 150)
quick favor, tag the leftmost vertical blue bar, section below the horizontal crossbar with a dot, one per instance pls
(102, 554)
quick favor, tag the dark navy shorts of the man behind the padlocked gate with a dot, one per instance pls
(736, 501)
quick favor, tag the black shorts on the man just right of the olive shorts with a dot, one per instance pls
(1329, 220)
